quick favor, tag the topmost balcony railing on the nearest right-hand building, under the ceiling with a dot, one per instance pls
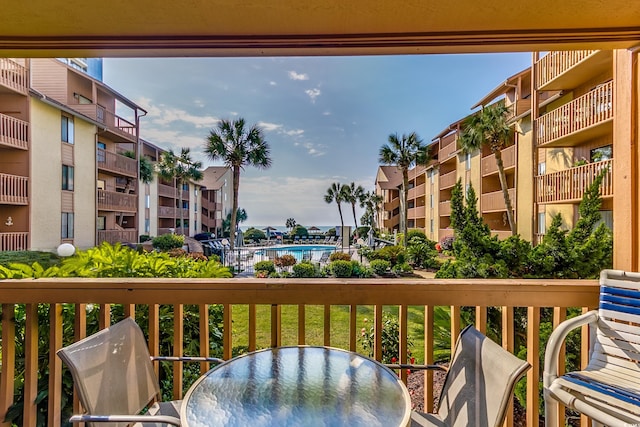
(556, 64)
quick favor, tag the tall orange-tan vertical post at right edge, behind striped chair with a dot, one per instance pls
(625, 168)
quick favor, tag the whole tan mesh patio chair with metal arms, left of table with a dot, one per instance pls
(115, 381)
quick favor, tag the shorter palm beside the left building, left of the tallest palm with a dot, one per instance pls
(182, 169)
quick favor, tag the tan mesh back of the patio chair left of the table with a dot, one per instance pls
(112, 371)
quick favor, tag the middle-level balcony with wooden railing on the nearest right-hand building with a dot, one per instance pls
(580, 120)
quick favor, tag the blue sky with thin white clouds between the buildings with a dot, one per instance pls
(325, 118)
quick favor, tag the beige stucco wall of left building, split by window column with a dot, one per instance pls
(46, 178)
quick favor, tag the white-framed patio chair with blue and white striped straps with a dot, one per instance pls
(608, 389)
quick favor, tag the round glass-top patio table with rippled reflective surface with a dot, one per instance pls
(298, 386)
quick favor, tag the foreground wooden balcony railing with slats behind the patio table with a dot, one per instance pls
(299, 298)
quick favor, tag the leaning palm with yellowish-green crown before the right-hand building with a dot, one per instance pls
(490, 127)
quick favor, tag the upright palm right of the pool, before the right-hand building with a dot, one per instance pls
(404, 153)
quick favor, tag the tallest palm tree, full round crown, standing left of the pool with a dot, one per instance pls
(237, 147)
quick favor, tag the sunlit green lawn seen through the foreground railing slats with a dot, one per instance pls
(314, 326)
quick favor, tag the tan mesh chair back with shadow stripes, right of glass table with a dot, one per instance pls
(479, 382)
